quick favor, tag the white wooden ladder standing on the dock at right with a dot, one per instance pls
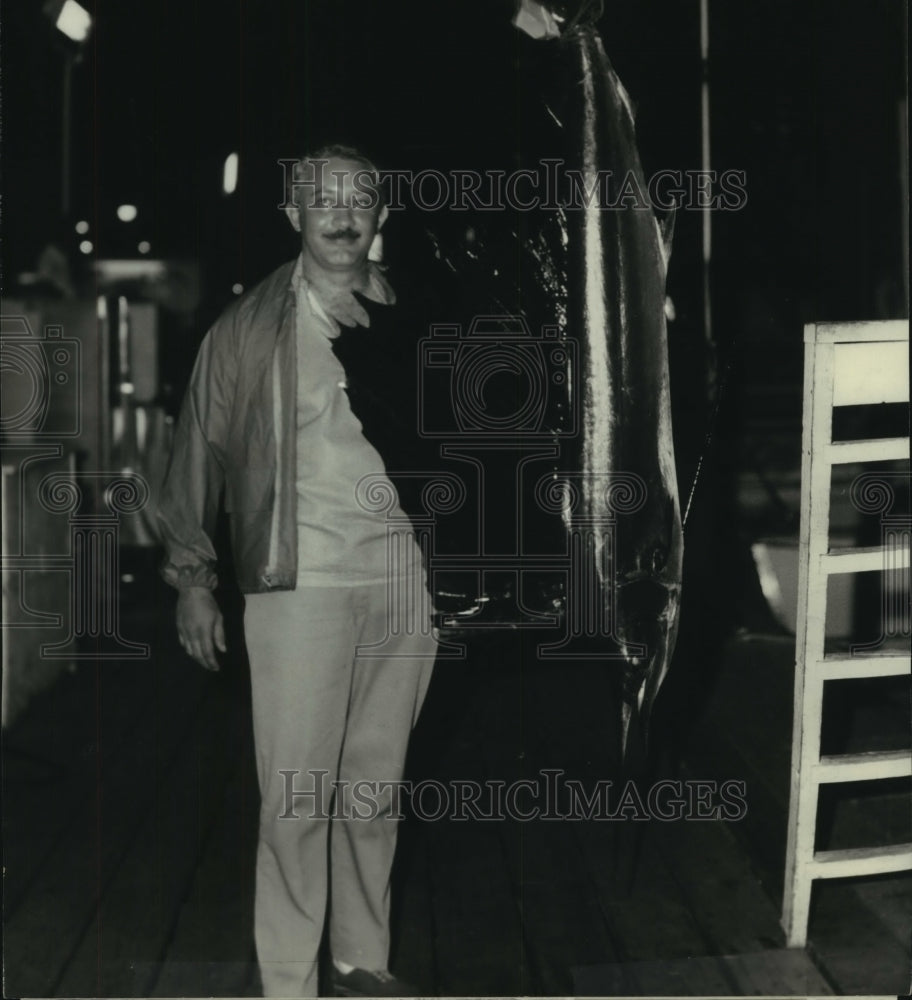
(846, 364)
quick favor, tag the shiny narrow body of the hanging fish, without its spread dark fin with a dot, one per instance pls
(616, 309)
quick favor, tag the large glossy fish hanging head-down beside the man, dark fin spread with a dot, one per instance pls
(596, 275)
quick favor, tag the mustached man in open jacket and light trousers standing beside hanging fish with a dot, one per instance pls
(268, 418)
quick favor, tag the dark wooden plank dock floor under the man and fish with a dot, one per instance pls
(130, 828)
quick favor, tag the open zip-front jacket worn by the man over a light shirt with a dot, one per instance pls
(226, 440)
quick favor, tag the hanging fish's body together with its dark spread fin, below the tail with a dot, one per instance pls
(594, 276)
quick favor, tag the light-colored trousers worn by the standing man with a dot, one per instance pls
(322, 713)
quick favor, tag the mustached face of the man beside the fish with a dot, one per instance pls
(337, 214)
